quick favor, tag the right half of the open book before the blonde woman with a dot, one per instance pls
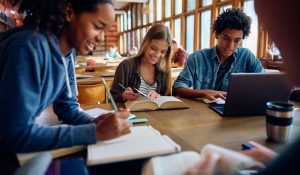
(168, 102)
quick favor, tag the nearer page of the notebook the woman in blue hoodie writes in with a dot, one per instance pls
(130, 149)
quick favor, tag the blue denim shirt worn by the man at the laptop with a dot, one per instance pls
(201, 68)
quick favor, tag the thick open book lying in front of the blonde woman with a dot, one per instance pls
(163, 102)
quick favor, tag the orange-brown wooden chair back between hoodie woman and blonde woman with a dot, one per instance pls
(91, 94)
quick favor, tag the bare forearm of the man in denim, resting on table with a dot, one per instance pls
(189, 93)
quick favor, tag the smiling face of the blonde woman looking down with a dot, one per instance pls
(156, 50)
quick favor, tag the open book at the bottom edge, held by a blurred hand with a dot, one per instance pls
(230, 162)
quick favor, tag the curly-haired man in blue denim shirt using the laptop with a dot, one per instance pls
(208, 70)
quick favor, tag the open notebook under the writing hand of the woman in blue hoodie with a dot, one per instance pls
(142, 142)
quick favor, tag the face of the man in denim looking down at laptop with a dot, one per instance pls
(228, 42)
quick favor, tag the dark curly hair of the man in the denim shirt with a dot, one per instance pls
(233, 18)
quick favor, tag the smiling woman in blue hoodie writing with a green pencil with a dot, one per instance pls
(37, 70)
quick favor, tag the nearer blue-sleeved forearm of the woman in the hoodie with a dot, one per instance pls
(39, 138)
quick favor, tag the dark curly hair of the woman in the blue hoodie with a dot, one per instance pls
(50, 14)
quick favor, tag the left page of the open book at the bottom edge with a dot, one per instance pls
(174, 164)
